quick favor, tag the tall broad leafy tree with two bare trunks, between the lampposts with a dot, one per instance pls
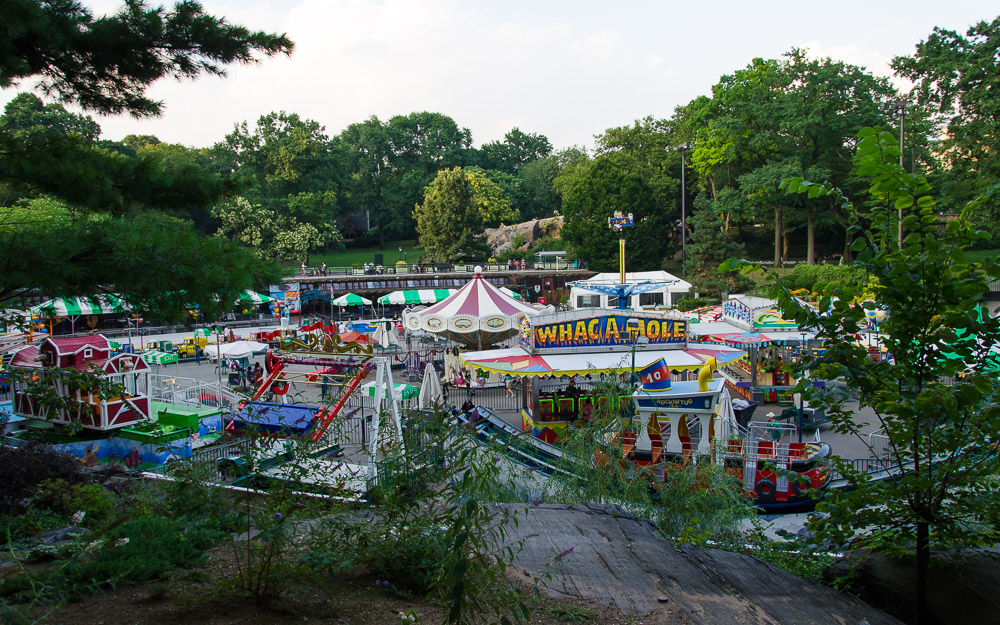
(790, 117)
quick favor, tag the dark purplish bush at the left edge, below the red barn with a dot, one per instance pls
(25, 468)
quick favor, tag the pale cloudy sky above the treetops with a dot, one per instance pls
(564, 69)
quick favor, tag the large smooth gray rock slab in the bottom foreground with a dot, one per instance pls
(601, 554)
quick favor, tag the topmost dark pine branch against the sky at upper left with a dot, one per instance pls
(106, 64)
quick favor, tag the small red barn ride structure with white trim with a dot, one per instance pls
(92, 412)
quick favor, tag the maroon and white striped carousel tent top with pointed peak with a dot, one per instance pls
(478, 314)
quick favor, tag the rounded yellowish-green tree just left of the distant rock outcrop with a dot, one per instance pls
(449, 222)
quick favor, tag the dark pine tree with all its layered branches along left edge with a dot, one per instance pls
(114, 238)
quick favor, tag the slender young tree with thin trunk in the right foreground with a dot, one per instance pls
(938, 432)
